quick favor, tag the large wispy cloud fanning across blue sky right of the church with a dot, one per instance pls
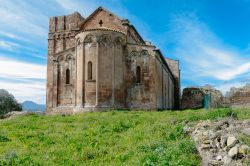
(202, 52)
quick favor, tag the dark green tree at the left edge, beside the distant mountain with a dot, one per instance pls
(8, 103)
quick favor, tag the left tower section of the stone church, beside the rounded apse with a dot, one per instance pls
(61, 37)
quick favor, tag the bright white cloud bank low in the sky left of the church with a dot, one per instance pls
(18, 78)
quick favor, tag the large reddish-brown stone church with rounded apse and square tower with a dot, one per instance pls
(102, 62)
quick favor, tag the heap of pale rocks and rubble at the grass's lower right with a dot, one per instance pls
(222, 142)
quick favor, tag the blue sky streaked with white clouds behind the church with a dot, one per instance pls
(211, 39)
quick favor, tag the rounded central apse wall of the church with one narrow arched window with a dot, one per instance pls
(104, 49)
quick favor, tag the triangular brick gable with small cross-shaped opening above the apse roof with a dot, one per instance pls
(108, 19)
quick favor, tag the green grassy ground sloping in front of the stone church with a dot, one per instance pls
(104, 138)
